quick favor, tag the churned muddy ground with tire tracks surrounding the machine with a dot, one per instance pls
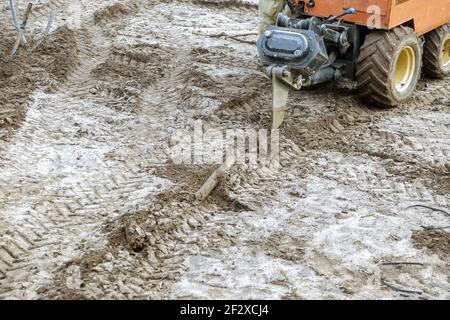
(93, 206)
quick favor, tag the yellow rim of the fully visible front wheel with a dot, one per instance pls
(405, 68)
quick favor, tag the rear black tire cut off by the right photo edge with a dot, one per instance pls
(436, 42)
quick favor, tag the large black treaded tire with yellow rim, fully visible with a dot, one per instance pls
(381, 58)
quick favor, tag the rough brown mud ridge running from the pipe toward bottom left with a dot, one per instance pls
(155, 239)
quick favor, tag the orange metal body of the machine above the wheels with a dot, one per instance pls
(423, 15)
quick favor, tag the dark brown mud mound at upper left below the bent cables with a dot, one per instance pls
(46, 69)
